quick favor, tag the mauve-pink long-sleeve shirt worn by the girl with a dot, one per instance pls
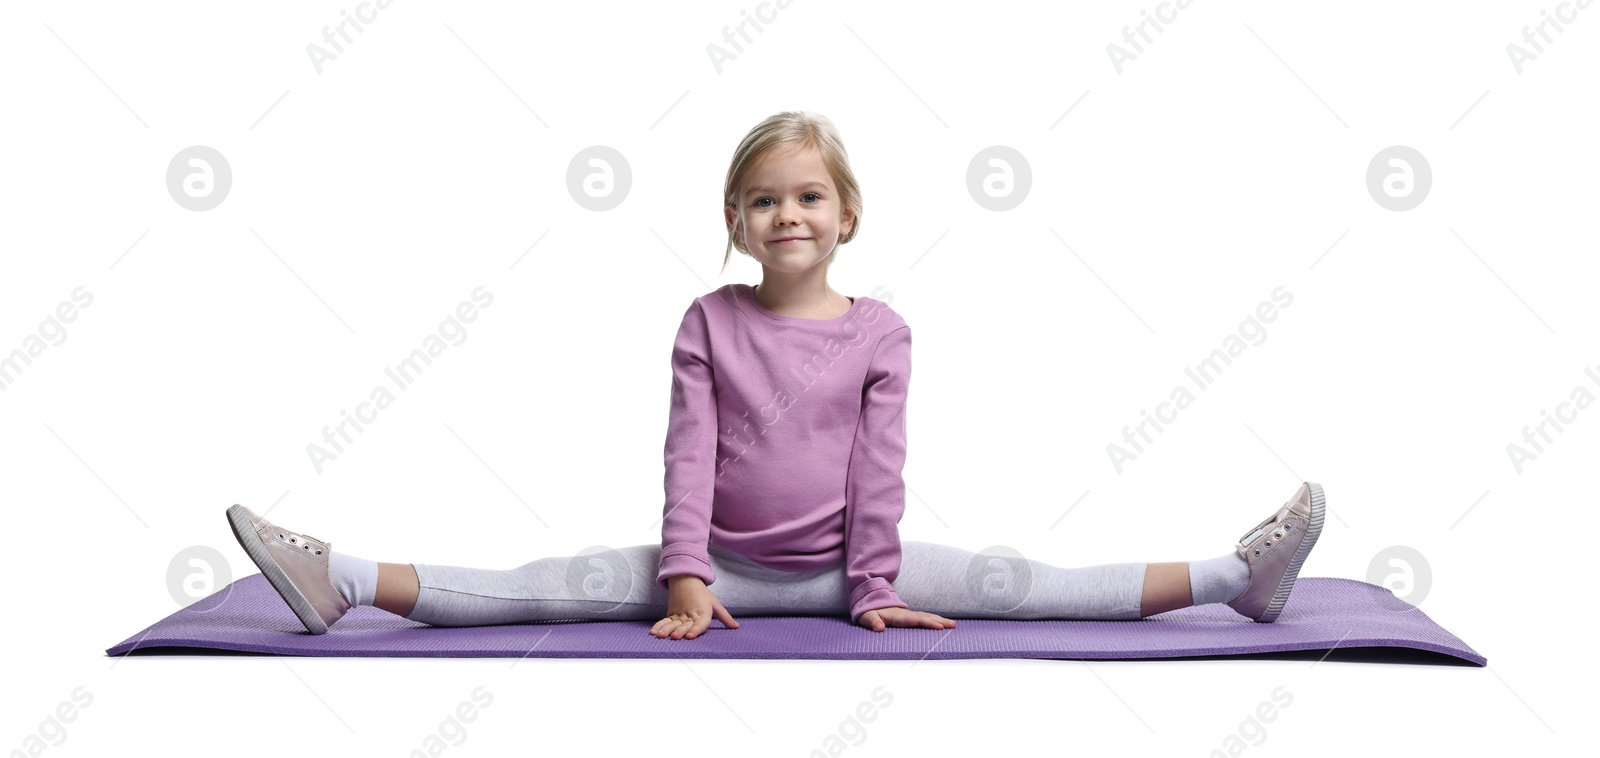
(786, 442)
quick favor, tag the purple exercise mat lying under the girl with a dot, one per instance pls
(1322, 615)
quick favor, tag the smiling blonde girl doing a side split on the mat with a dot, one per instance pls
(783, 471)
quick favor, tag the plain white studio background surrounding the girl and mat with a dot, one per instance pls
(423, 162)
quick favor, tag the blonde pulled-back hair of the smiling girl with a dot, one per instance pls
(791, 130)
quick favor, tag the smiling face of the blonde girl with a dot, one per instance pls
(790, 210)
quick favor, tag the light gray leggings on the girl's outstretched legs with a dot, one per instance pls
(620, 584)
